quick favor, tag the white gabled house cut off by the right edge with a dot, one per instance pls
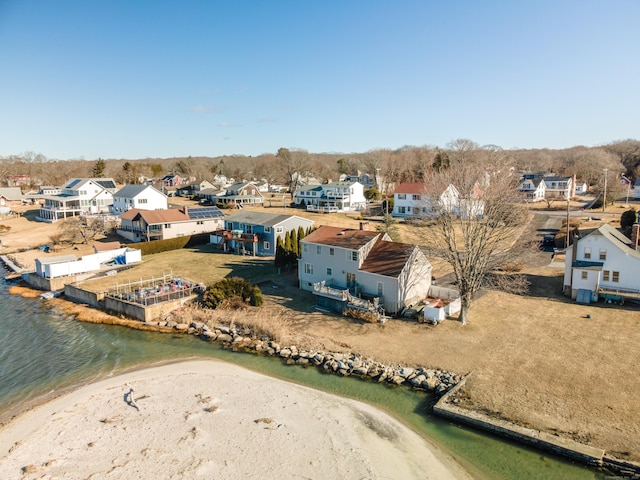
(603, 264)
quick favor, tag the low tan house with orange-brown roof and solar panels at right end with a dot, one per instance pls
(146, 225)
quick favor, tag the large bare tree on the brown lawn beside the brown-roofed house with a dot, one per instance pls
(477, 212)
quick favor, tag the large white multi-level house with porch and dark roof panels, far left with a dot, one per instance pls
(79, 196)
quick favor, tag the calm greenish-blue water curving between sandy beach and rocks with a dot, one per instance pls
(42, 352)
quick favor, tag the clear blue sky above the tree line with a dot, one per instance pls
(136, 79)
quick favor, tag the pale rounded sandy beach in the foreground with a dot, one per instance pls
(209, 419)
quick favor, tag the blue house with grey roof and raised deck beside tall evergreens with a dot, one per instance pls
(257, 232)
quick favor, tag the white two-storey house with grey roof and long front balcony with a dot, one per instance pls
(332, 197)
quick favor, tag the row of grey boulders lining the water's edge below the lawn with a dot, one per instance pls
(345, 364)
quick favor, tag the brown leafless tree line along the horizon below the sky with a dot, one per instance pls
(406, 164)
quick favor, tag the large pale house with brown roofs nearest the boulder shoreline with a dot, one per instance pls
(362, 269)
